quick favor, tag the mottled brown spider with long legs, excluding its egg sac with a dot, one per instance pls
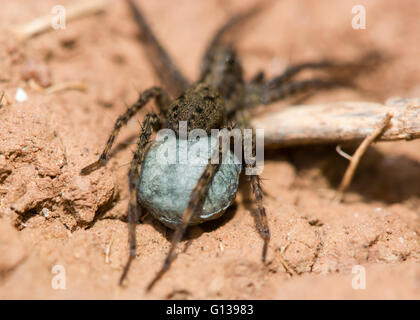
(221, 96)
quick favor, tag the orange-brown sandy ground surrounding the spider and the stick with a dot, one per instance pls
(50, 216)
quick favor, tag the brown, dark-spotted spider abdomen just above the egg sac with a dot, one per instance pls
(201, 106)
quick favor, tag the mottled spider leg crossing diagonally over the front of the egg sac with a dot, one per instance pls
(194, 205)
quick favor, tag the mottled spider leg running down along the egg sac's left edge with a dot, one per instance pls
(150, 123)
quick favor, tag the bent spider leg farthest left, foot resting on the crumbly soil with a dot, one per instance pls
(144, 98)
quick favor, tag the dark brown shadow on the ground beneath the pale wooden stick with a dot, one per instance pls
(379, 177)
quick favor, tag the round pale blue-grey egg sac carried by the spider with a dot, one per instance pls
(165, 186)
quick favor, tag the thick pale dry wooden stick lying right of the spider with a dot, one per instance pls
(338, 122)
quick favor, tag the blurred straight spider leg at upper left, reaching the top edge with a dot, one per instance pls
(165, 68)
